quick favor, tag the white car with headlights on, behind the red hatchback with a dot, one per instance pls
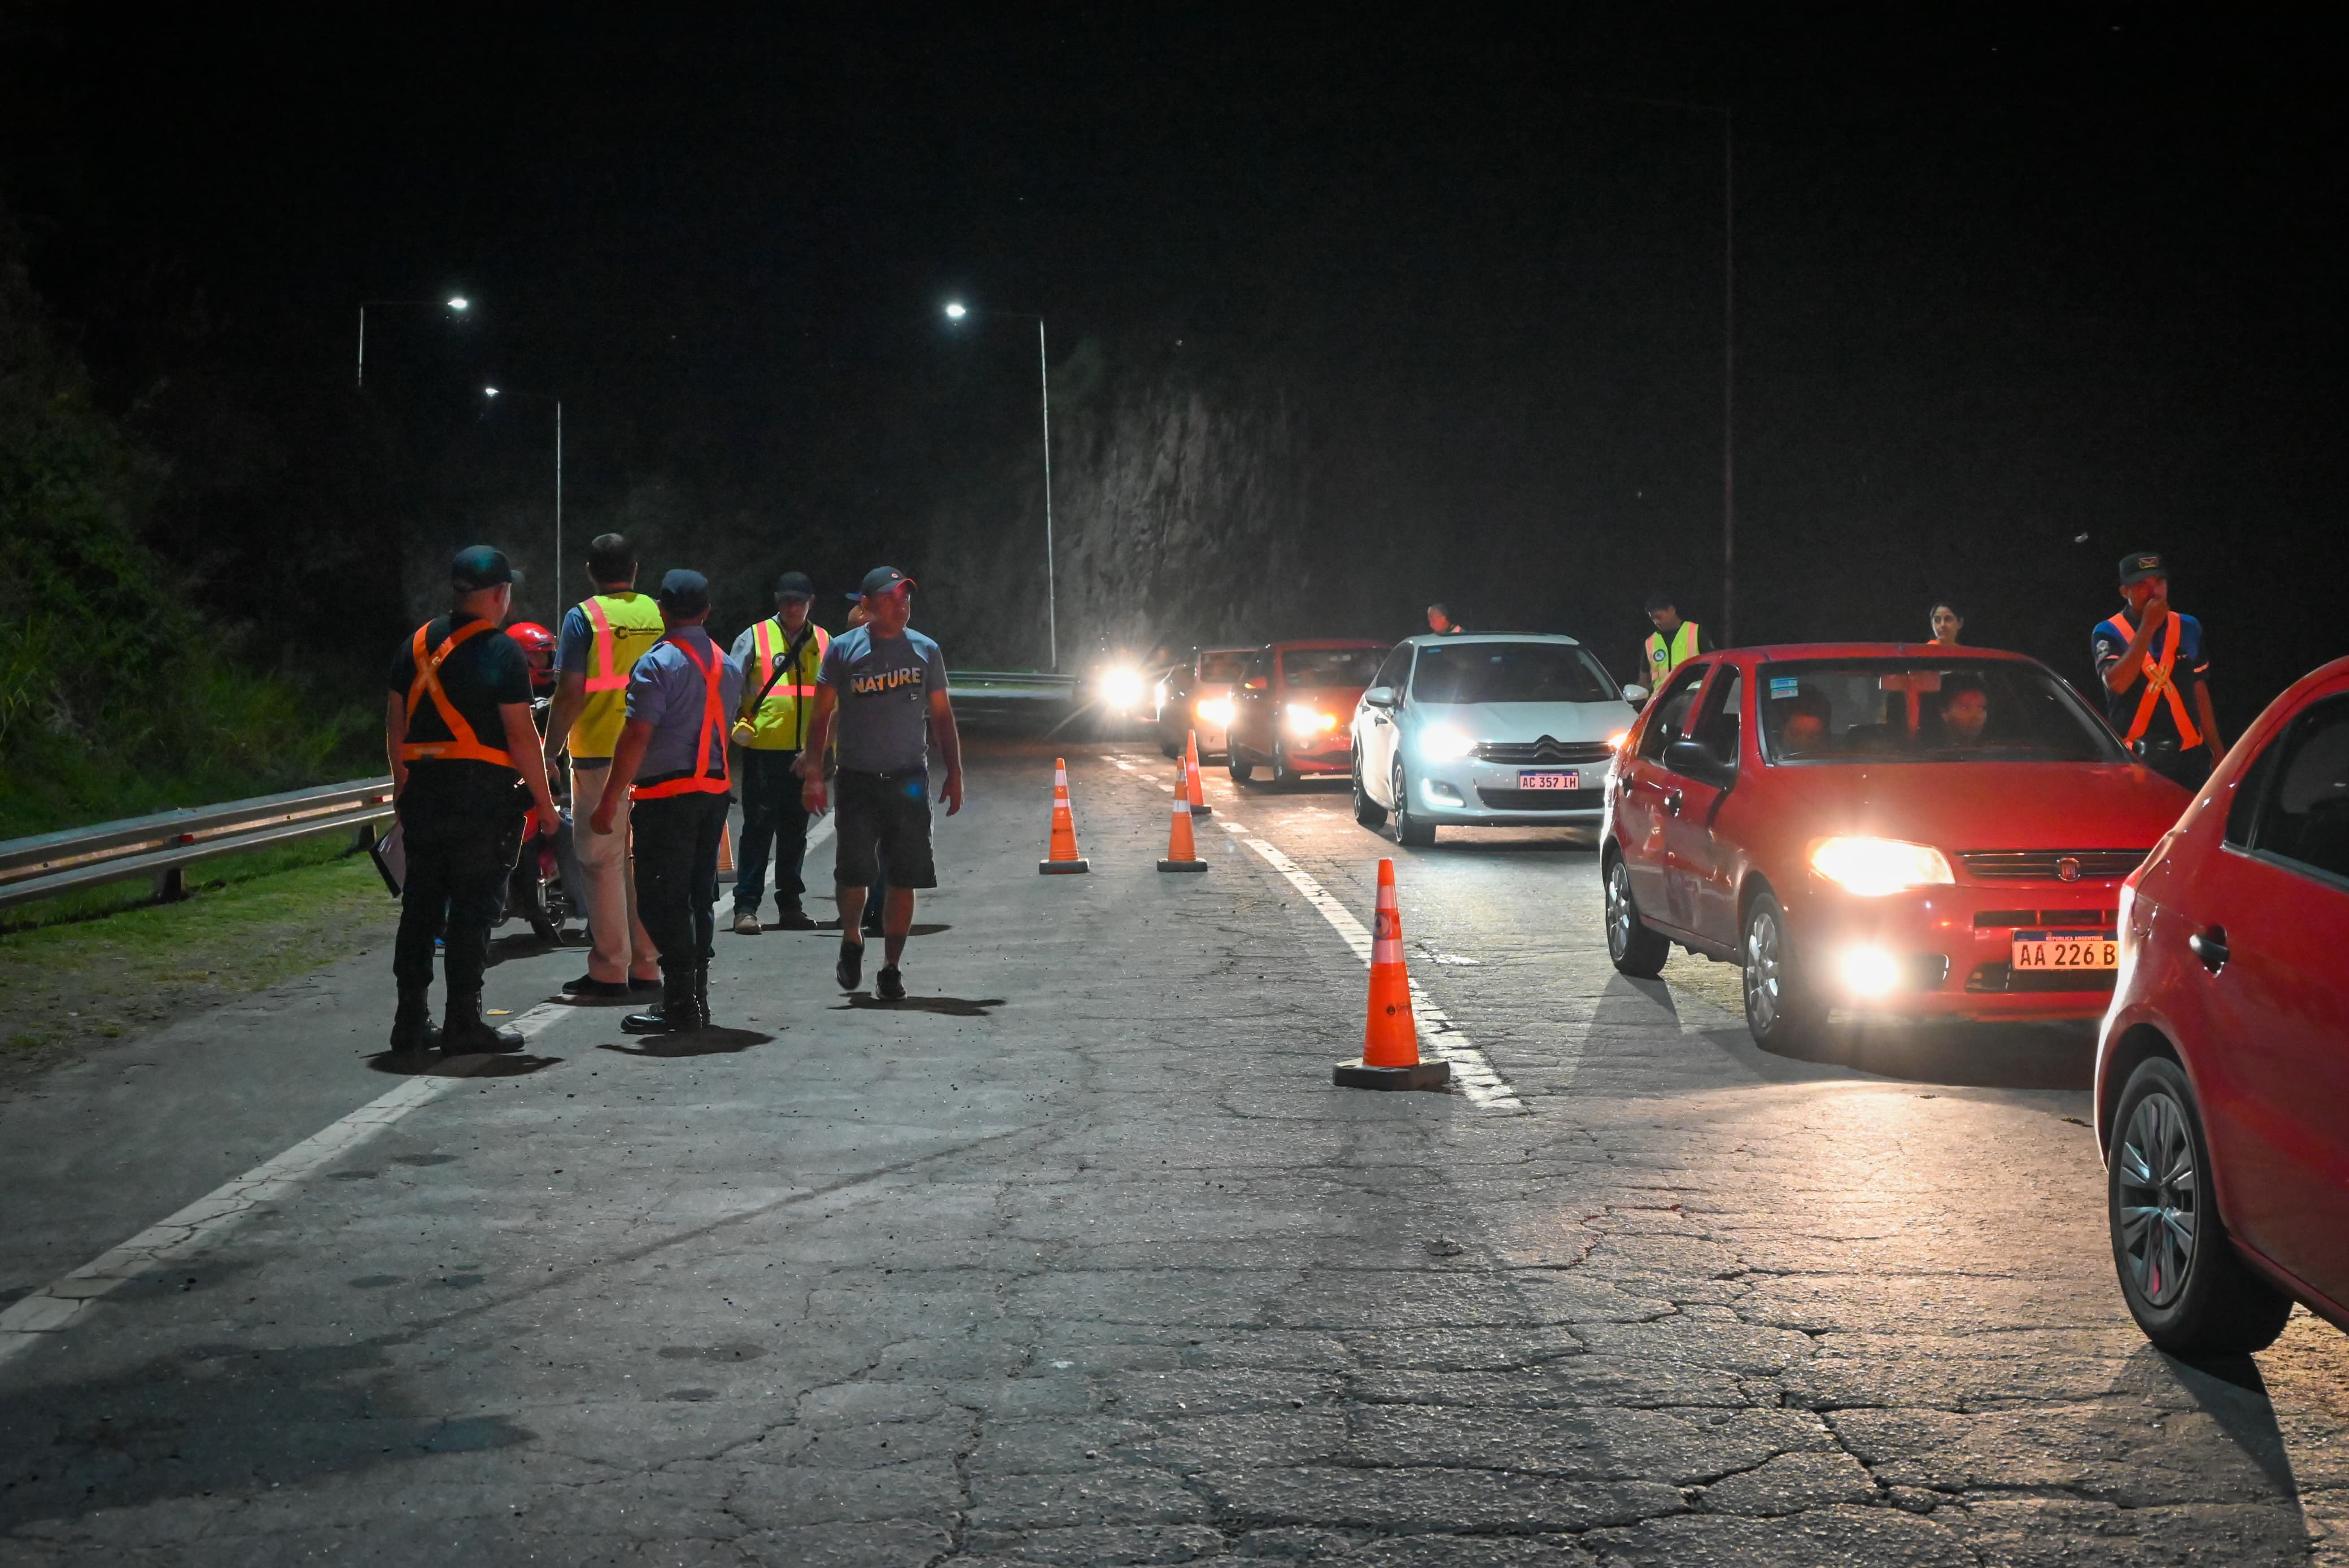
(1488, 731)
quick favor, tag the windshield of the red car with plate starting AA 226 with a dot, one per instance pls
(1927, 712)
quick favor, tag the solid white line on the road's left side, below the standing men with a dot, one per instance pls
(222, 1210)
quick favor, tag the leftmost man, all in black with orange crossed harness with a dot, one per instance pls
(466, 766)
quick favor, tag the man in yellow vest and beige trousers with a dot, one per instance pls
(600, 647)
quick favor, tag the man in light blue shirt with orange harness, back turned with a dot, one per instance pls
(682, 698)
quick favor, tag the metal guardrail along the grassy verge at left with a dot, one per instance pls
(166, 844)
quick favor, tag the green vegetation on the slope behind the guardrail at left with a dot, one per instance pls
(116, 694)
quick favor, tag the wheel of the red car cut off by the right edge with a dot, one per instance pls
(2183, 1280)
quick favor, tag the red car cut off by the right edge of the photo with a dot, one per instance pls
(2223, 1069)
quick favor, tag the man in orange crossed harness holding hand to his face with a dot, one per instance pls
(2153, 665)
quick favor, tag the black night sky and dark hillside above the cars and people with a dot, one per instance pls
(2014, 292)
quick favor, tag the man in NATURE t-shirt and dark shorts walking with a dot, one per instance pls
(884, 687)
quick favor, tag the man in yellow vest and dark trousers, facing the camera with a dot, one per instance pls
(779, 663)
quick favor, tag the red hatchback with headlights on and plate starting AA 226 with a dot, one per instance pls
(1885, 830)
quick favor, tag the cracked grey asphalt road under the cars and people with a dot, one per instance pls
(1077, 1257)
